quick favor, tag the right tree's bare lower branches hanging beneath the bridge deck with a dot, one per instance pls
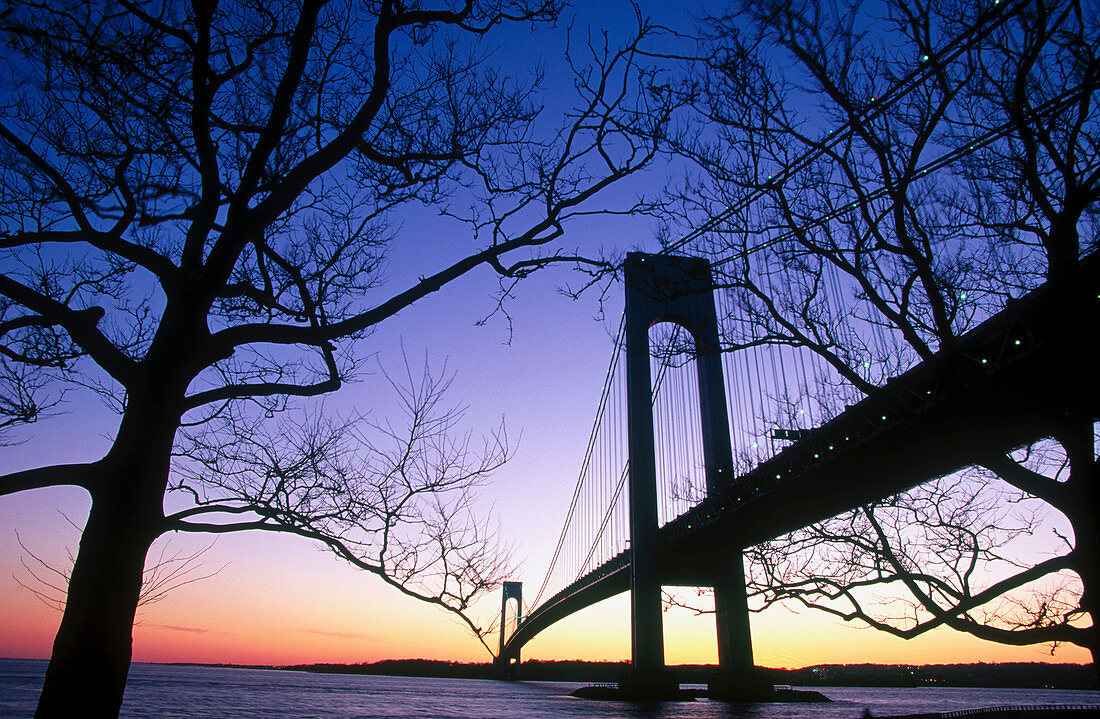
(944, 555)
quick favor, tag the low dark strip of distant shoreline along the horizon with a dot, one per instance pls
(1024, 676)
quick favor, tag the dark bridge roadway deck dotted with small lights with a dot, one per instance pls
(1010, 382)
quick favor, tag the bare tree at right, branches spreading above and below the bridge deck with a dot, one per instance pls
(883, 178)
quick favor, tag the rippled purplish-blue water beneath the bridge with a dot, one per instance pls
(208, 693)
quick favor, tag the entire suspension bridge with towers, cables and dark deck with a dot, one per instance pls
(697, 455)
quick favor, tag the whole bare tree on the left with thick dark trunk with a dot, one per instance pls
(197, 202)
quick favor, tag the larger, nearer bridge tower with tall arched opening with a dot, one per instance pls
(664, 289)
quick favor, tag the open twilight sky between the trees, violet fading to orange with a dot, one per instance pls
(276, 600)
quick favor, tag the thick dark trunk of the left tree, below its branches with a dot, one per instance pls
(91, 659)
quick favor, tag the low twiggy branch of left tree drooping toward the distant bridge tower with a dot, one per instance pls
(394, 499)
